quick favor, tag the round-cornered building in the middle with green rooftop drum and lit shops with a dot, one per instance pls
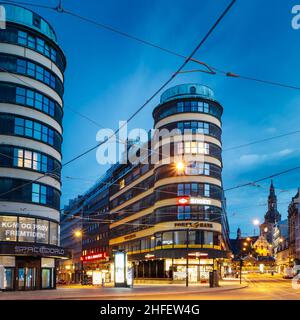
(171, 218)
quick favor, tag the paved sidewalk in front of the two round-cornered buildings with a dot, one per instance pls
(90, 293)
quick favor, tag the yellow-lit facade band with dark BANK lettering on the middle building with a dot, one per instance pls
(169, 226)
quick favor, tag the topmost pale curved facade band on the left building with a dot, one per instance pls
(32, 55)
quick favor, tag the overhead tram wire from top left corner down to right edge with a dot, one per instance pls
(209, 69)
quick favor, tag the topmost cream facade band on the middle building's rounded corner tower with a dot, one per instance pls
(188, 117)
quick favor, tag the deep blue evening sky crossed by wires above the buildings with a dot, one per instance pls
(109, 77)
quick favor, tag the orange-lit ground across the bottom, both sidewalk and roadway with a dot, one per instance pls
(254, 287)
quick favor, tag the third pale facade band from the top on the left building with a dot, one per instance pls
(31, 113)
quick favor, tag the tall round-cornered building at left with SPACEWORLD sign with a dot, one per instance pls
(32, 69)
